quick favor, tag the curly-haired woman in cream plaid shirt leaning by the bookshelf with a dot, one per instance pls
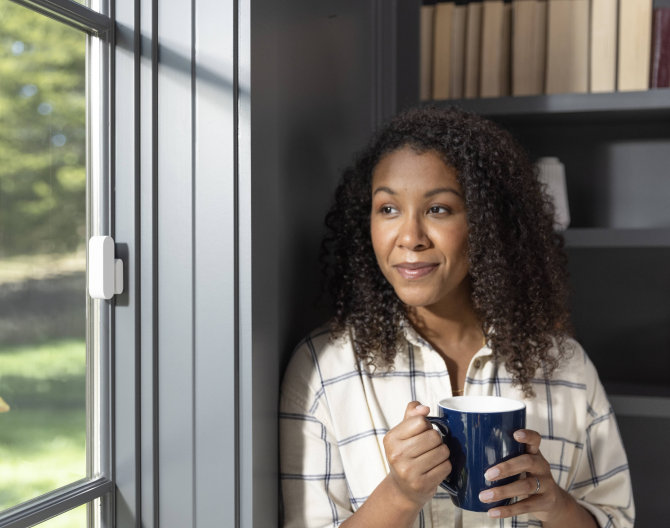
(448, 279)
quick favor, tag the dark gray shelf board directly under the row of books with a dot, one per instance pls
(648, 104)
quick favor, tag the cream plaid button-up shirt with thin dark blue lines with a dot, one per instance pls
(333, 418)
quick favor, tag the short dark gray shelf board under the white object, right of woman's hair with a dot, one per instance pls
(616, 238)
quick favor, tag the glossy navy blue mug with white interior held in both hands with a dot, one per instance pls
(479, 433)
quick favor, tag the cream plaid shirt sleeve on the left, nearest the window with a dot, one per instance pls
(314, 487)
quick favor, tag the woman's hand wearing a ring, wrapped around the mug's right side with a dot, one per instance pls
(547, 504)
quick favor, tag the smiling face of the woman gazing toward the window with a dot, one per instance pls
(419, 227)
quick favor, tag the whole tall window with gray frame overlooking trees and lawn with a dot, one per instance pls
(54, 412)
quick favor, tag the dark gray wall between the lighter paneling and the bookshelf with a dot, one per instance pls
(326, 113)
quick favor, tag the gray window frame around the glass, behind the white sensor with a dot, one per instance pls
(96, 488)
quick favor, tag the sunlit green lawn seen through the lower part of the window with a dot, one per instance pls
(43, 436)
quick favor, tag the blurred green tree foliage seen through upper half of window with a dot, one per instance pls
(42, 133)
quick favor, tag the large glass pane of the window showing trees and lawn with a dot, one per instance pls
(43, 308)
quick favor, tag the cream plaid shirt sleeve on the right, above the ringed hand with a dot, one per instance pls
(602, 482)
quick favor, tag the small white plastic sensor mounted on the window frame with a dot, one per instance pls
(105, 273)
